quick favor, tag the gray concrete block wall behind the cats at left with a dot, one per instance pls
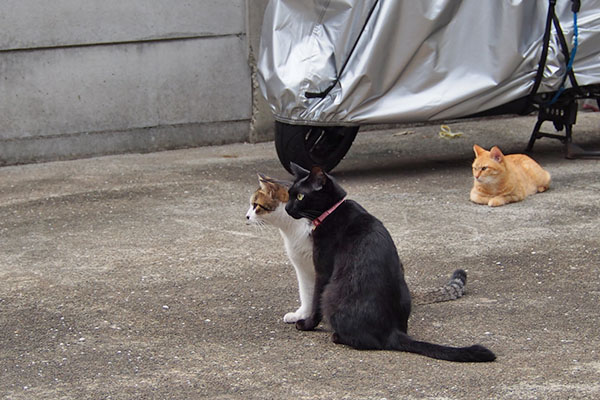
(84, 78)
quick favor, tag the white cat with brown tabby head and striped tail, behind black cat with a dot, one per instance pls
(267, 207)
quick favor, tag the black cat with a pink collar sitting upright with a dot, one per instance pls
(359, 287)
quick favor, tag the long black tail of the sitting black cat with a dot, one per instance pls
(402, 342)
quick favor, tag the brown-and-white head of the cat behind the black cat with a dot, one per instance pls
(266, 201)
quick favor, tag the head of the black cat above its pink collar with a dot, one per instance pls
(312, 193)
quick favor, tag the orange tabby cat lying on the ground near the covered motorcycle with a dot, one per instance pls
(500, 179)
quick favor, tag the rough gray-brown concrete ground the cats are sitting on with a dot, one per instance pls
(135, 276)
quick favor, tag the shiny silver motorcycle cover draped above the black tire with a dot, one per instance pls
(415, 60)
